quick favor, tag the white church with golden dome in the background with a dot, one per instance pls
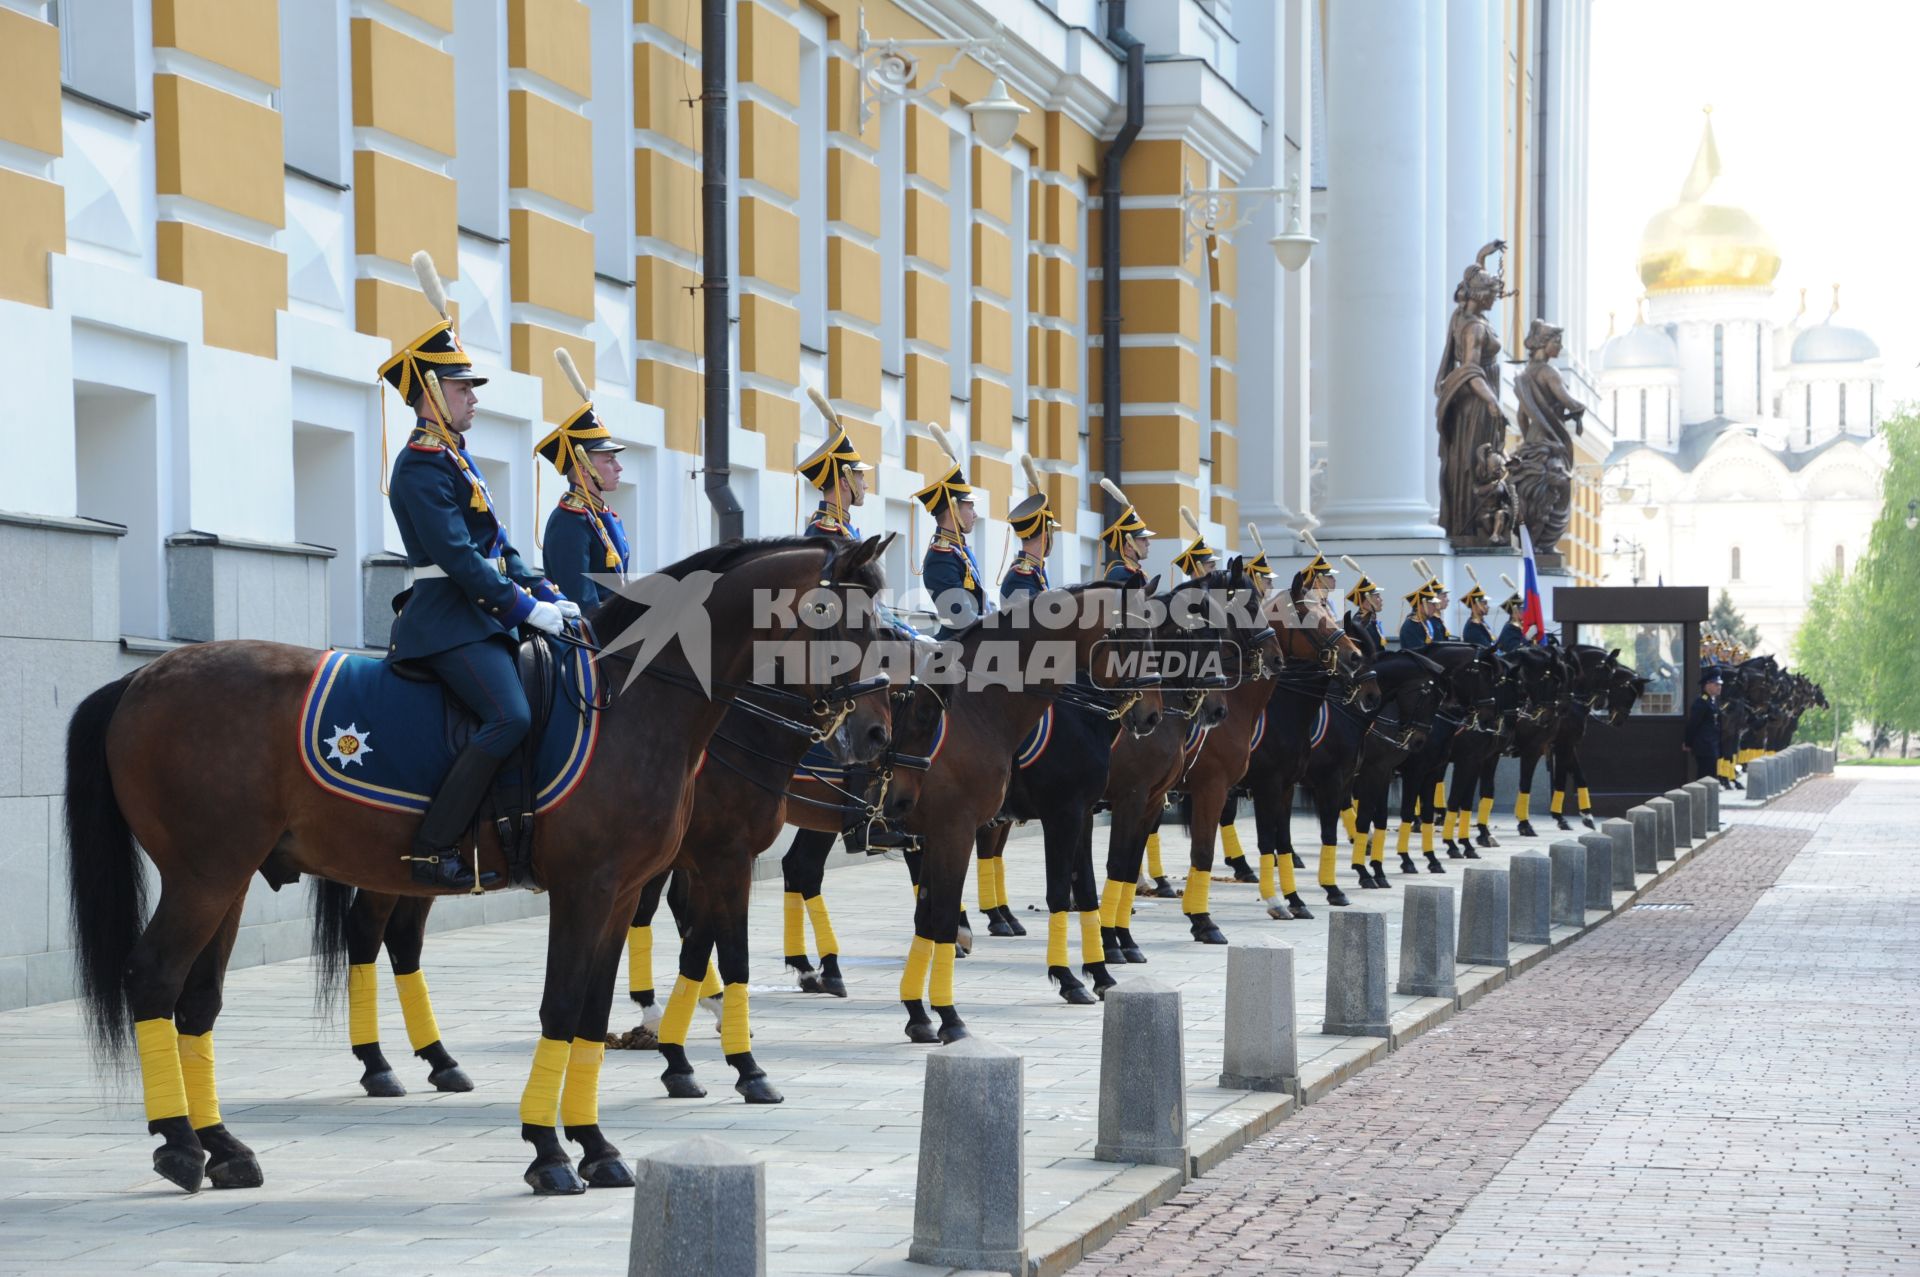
(1746, 435)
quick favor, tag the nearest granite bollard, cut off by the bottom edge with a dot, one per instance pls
(698, 1209)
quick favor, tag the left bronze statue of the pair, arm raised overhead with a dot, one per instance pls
(1474, 429)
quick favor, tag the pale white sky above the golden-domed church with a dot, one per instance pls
(1815, 114)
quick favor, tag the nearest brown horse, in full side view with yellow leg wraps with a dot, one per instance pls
(212, 815)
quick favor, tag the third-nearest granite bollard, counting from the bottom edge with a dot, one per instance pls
(1143, 1078)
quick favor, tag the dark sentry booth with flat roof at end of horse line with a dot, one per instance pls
(1656, 631)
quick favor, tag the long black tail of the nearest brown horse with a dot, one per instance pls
(105, 880)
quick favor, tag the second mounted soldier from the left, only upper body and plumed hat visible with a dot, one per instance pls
(585, 535)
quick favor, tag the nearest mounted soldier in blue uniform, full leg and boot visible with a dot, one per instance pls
(471, 590)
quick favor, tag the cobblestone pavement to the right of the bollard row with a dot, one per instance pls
(1689, 1090)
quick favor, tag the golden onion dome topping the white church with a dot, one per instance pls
(1706, 245)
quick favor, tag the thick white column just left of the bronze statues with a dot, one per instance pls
(1380, 368)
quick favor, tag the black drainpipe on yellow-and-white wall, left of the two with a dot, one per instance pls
(717, 285)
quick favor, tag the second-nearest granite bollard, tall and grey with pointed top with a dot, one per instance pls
(971, 1192)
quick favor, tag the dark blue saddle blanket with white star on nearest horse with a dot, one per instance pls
(383, 740)
